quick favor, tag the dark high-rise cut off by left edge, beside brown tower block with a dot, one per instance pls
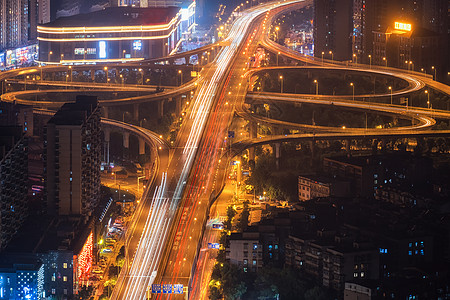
(14, 179)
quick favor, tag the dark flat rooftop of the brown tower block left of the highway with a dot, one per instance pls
(75, 113)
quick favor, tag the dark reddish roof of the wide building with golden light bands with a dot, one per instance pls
(119, 16)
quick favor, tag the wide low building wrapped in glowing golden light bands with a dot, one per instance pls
(115, 34)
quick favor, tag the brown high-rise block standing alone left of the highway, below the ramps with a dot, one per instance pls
(73, 158)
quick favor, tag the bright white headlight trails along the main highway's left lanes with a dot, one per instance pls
(147, 257)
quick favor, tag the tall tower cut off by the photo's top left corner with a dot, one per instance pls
(13, 23)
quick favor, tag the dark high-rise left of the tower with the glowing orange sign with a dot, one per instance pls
(333, 29)
